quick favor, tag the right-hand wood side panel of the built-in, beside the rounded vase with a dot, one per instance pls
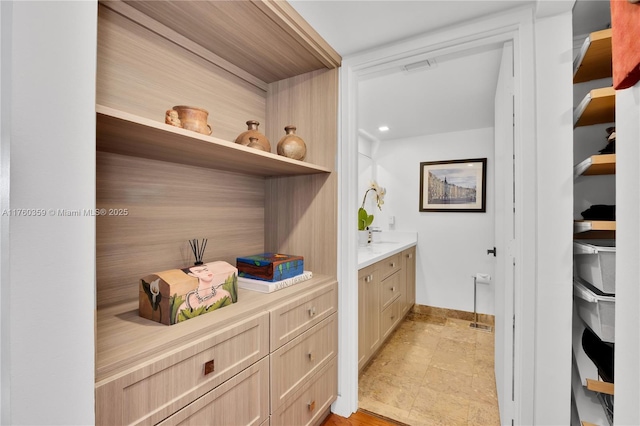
(304, 221)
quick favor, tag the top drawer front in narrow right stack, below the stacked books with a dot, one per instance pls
(295, 317)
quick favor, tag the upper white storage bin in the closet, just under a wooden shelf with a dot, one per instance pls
(595, 262)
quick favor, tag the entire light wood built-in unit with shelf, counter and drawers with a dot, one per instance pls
(177, 185)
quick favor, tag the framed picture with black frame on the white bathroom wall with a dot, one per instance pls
(453, 186)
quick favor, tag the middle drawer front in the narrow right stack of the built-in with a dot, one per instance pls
(298, 360)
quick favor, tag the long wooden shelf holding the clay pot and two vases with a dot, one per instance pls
(127, 134)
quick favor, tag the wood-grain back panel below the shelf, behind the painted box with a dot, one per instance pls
(168, 204)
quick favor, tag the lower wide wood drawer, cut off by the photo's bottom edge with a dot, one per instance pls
(242, 400)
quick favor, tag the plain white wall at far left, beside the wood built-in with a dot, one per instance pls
(49, 273)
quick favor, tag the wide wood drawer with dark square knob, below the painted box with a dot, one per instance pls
(166, 384)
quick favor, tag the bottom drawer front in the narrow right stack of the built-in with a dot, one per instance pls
(312, 401)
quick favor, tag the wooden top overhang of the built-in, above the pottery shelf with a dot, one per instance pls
(267, 39)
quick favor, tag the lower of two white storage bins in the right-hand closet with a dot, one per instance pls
(597, 311)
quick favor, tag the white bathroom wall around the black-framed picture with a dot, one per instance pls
(452, 247)
